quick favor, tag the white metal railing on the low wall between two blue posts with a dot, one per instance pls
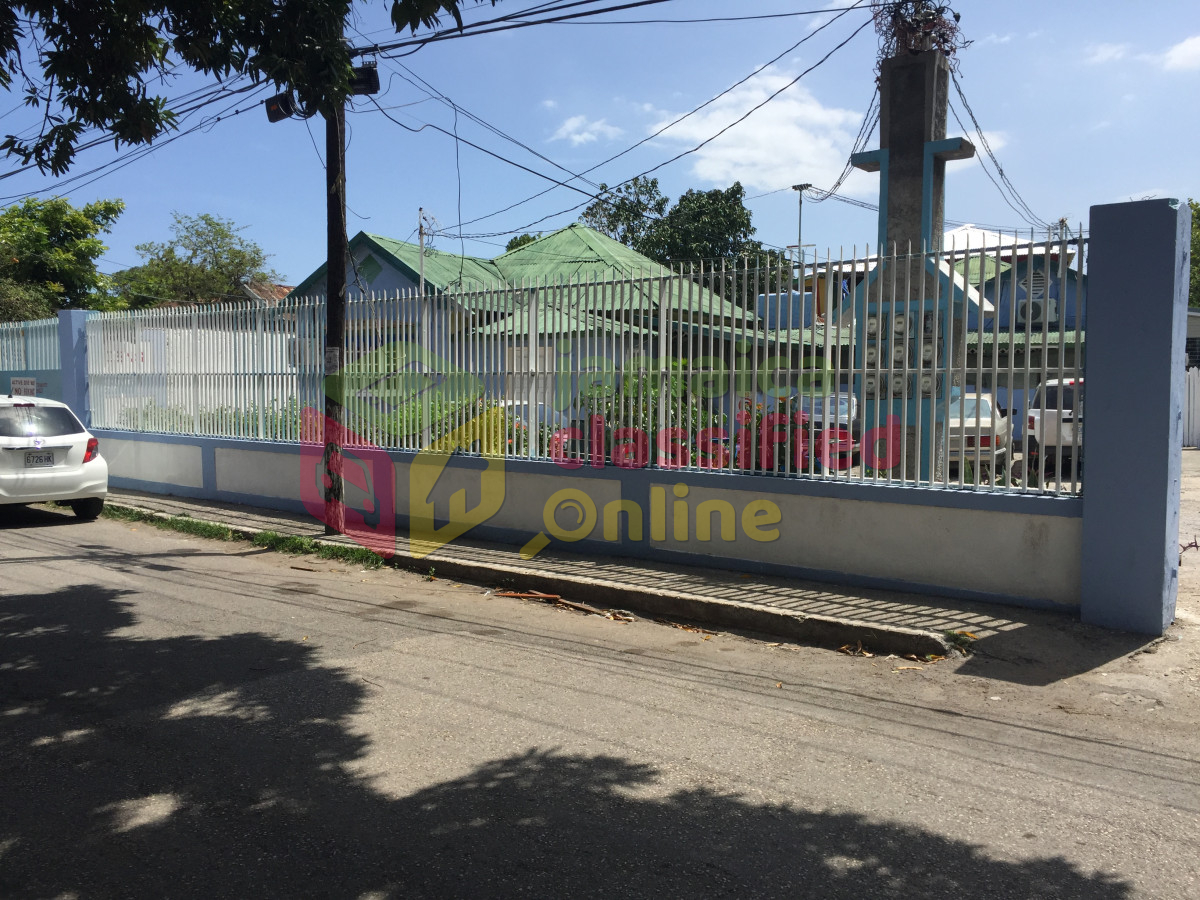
(915, 370)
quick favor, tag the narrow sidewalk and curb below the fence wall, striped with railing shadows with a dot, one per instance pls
(797, 610)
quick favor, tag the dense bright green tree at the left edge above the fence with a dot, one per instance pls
(49, 253)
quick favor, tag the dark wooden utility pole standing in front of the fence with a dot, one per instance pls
(335, 315)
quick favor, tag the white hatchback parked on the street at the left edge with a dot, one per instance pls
(47, 455)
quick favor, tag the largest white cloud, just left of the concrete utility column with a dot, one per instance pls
(793, 139)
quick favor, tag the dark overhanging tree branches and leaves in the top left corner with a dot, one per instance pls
(97, 65)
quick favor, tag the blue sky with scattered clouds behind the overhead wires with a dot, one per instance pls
(1084, 104)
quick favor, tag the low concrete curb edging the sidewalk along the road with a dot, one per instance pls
(802, 628)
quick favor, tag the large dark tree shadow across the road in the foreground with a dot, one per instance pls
(187, 766)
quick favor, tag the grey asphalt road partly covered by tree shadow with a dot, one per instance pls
(183, 718)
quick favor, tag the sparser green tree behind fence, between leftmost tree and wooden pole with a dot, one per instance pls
(206, 260)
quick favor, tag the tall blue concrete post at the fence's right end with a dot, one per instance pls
(1137, 326)
